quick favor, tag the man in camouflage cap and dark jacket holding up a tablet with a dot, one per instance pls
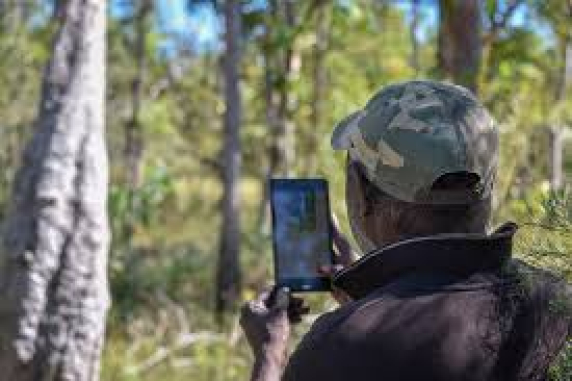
(436, 297)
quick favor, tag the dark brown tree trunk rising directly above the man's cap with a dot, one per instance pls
(460, 46)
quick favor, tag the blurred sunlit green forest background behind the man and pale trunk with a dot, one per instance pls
(189, 161)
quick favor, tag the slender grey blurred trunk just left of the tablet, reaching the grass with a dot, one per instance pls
(228, 271)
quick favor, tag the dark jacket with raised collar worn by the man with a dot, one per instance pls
(448, 307)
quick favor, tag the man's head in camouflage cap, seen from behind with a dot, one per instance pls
(422, 160)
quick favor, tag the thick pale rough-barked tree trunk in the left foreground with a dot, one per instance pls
(53, 261)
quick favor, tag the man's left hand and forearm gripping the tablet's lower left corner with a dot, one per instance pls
(266, 323)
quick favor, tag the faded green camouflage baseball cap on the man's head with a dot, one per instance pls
(411, 134)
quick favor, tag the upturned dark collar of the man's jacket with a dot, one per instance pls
(457, 255)
